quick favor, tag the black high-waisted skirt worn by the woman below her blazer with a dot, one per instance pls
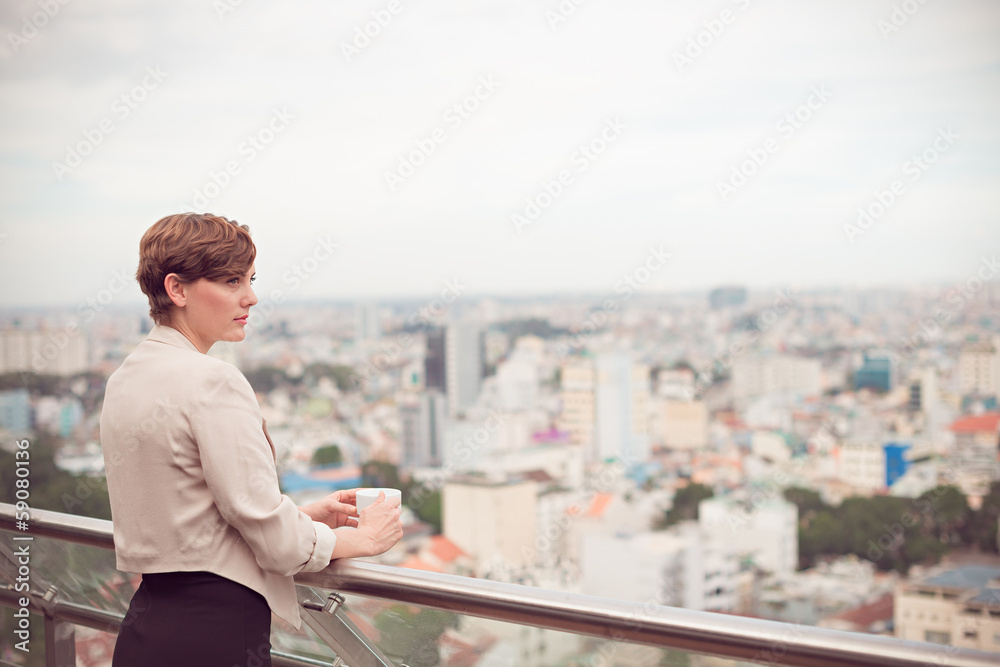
(194, 619)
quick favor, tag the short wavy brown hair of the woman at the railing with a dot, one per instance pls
(192, 245)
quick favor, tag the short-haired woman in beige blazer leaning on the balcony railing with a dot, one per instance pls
(191, 470)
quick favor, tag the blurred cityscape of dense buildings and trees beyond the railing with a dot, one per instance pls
(822, 457)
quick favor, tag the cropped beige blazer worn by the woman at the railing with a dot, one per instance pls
(192, 478)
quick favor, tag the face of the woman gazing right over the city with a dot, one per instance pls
(216, 309)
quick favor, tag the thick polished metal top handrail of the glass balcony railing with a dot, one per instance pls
(721, 635)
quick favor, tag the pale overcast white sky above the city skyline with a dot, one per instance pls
(115, 113)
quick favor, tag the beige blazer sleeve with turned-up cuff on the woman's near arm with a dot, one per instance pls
(240, 473)
